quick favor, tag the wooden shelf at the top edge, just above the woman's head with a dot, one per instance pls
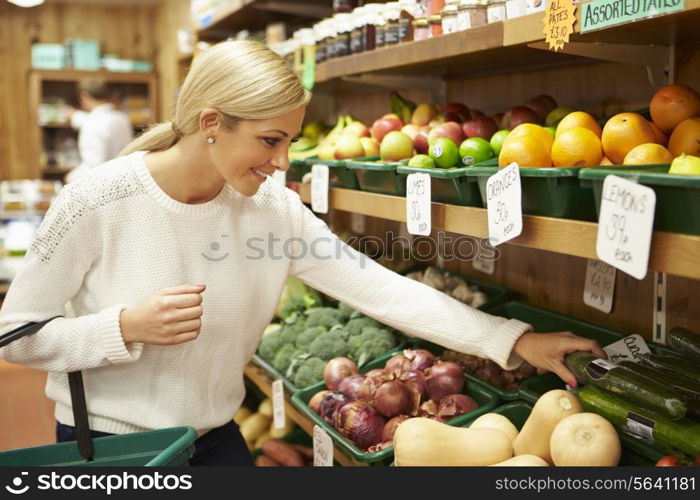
(253, 15)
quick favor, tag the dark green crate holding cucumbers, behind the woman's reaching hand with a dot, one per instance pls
(544, 321)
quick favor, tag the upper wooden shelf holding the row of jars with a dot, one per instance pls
(503, 48)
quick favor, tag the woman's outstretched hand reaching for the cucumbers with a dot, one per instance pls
(546, 351)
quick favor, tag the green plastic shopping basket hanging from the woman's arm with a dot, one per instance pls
(158, 448)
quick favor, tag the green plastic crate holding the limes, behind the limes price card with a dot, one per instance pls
(451, 186)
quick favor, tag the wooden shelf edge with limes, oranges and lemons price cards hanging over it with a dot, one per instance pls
(672, 253)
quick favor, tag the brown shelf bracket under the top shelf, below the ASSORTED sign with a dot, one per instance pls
(659, 60)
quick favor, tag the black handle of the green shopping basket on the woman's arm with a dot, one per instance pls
(77, 390)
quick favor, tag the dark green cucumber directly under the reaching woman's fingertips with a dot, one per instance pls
(635, 388)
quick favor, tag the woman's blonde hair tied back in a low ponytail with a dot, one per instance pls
(243, 80)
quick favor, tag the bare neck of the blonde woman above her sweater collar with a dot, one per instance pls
(183, 172)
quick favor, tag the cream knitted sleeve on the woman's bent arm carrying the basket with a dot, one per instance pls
(63, 251)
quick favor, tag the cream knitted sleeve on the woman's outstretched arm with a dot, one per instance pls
(328, 264)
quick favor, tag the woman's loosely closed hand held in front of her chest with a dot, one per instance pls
(171, 316)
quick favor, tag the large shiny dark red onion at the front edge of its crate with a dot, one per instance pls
(360, 423)
